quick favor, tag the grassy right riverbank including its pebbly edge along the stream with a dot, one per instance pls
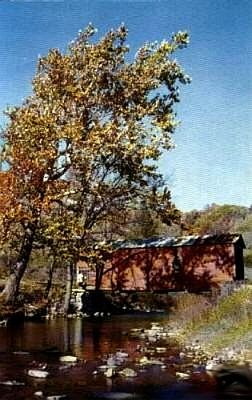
(218, 332)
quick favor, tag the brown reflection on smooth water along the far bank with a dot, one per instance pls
(89, 338)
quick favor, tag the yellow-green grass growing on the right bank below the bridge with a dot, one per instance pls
(219, 325)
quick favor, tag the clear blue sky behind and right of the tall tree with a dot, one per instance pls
(212, 161)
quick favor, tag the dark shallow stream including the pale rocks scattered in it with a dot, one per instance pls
(133, 357)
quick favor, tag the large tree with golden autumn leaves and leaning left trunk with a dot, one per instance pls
(88, 139)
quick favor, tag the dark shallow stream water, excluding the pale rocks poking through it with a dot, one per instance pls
(32, 345)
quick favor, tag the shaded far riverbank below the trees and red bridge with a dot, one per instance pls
(31, 305)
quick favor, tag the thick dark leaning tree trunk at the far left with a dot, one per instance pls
(11, 289)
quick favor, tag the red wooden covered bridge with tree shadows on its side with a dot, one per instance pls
(194, 263)
